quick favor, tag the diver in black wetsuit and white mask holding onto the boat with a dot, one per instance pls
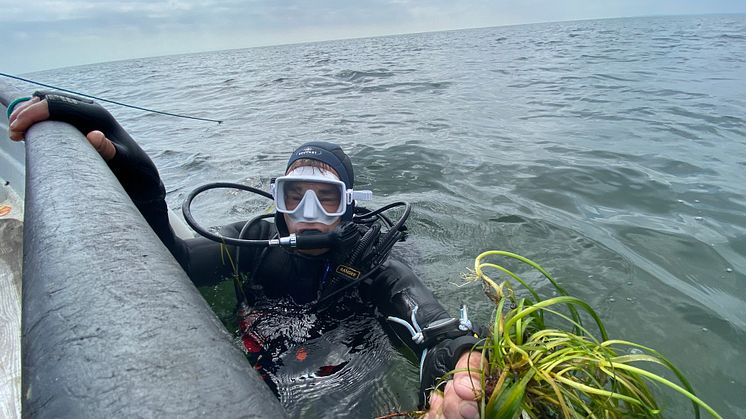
(321, 251)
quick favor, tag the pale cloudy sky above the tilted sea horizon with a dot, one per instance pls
(45, 34)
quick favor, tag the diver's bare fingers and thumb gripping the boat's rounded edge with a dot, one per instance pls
(36, 110)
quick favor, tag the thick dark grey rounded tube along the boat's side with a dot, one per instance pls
(112, 326)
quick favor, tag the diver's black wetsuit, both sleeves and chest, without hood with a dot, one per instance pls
(275, 273)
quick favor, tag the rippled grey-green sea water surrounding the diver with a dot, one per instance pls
(612, 152)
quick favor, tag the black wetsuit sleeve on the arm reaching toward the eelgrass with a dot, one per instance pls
(396, 291)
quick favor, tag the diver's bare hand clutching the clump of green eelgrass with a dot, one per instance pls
(458, 399)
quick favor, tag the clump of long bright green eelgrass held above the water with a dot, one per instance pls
(538, 371)
